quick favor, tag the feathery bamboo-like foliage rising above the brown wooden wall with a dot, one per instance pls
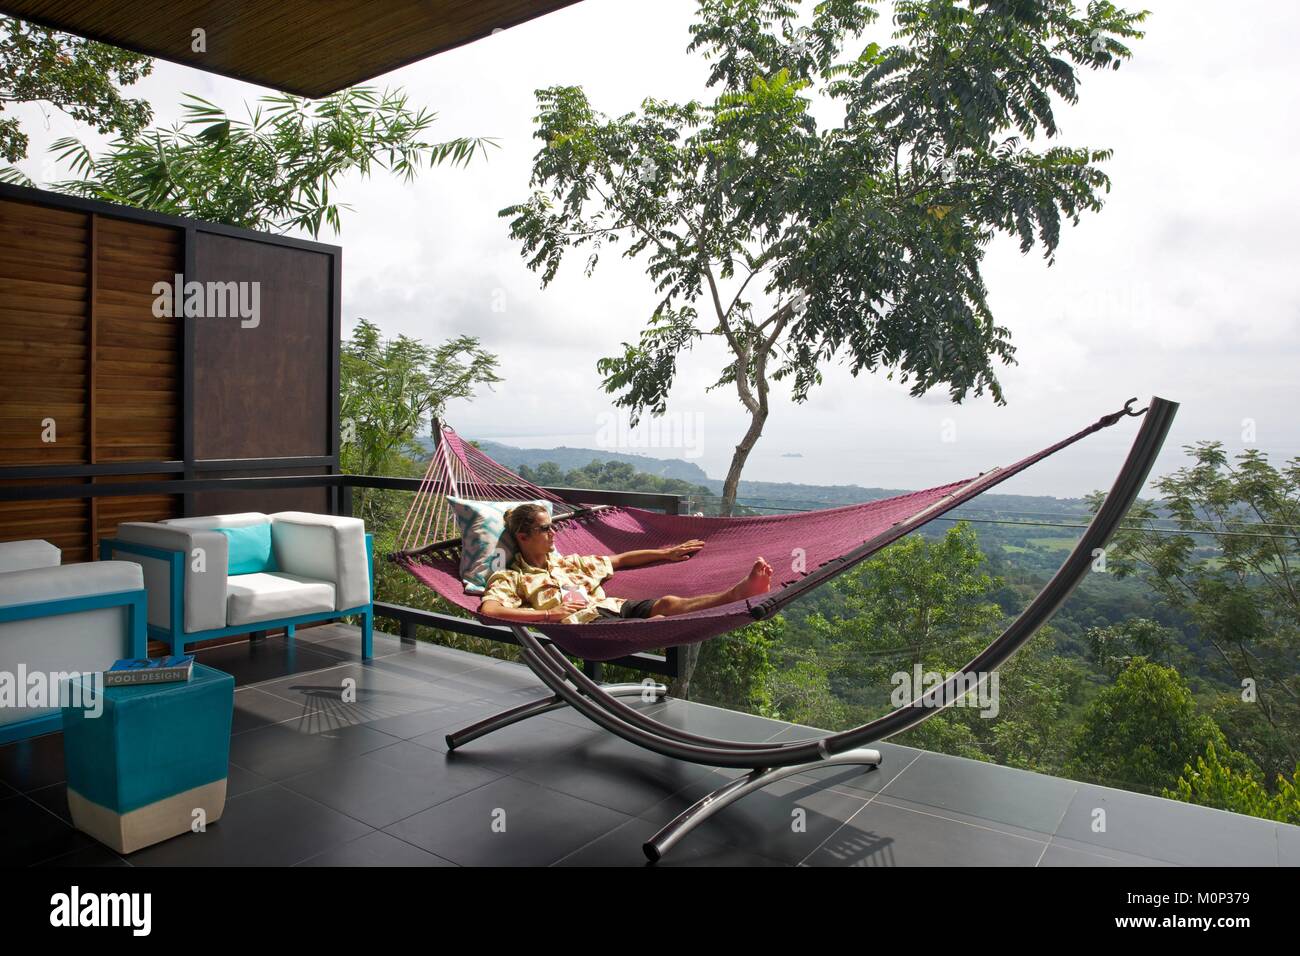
(274, 170)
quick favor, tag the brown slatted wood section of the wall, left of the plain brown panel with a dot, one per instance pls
(80, 345)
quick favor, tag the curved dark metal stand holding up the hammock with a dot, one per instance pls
(770, 763)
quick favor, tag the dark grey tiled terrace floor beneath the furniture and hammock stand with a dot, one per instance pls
(340, 764)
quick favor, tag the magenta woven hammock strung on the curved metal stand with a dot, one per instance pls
(805, 550)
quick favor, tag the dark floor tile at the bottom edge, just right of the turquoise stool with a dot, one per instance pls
(267, 828)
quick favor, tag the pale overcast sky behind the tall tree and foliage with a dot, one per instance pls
(1182, 287)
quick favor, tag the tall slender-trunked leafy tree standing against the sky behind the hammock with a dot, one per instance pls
(860, 240)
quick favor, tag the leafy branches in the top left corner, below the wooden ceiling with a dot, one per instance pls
(77, 76)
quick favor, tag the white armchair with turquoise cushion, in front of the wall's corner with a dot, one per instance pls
(319, 570)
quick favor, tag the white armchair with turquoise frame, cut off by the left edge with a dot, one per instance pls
(59, 621)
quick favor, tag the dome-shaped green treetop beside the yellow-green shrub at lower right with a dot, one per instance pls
(1141, 733)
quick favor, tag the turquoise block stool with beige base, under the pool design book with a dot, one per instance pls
(140, 771)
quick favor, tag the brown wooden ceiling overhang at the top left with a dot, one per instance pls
(306, 47)
